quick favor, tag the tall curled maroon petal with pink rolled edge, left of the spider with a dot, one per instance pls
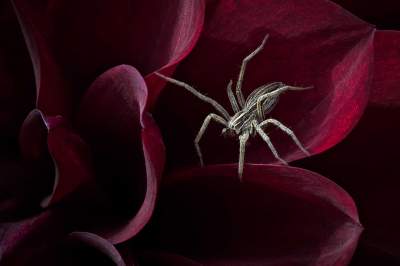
(127, 146)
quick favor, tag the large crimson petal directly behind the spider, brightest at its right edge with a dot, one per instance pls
(310, 43)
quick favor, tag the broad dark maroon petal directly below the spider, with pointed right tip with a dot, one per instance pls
(276, 216)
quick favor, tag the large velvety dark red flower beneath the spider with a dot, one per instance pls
(108, 153)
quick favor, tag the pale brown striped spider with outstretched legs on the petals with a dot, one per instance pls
(249, 115)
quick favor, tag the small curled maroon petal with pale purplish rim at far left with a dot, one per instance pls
(42, 137)
